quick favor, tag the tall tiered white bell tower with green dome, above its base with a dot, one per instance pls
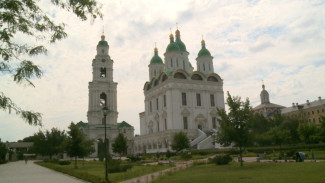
(102, 88)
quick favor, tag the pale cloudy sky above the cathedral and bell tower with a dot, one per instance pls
(279, 42)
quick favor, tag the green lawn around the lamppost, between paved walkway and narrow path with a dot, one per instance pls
(94, 171)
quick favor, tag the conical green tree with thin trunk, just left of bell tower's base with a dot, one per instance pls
(77, 145)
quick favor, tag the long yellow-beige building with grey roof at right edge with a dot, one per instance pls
(308, 112)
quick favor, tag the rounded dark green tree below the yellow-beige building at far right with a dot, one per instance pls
(308, 133)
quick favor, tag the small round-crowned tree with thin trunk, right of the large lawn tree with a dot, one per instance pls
(279, 136)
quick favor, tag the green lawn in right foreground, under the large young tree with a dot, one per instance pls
(251, 172)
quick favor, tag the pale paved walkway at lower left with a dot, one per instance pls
(18, 172)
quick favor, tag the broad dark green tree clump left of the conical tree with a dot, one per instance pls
(48, 143)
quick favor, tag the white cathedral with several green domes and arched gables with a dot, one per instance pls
(179, 99)
